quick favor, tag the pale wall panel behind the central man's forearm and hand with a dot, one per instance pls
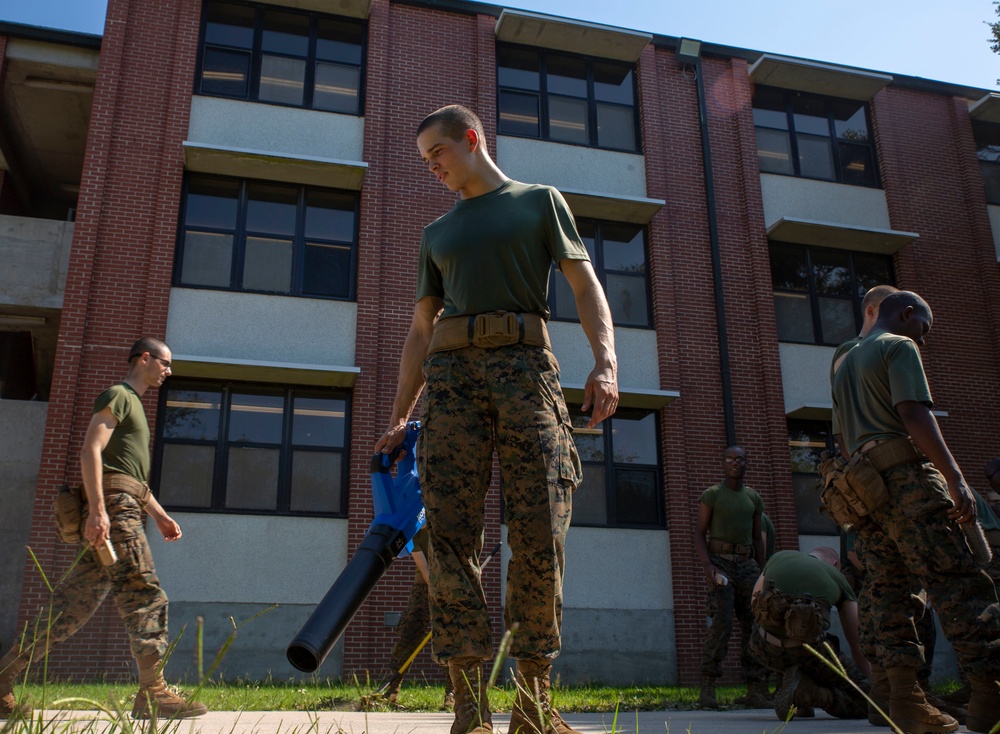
(639, 370)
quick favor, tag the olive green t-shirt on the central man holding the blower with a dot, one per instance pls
(494, 252)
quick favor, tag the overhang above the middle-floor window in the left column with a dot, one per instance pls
(308, 170)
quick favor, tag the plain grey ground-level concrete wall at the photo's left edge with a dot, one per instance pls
(22, 427)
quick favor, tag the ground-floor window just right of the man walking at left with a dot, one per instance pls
(245, 448)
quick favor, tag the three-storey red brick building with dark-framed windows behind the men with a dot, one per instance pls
(241, 179)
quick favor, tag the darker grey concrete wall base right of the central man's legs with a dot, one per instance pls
(617, 647)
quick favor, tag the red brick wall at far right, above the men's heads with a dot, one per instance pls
(934, 188)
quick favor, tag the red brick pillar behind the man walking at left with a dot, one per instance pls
(118, 283)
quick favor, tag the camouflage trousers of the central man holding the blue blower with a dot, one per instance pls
(507, 399)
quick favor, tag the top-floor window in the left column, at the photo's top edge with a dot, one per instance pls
(282, 57)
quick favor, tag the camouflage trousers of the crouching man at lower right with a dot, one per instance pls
(847, 702)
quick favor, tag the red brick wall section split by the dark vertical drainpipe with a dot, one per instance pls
(694, 434)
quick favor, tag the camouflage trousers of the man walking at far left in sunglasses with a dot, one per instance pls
(132, 581)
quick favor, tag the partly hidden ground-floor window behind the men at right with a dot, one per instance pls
(806, 441)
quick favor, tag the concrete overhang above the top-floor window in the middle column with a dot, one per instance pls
(563, 34)
